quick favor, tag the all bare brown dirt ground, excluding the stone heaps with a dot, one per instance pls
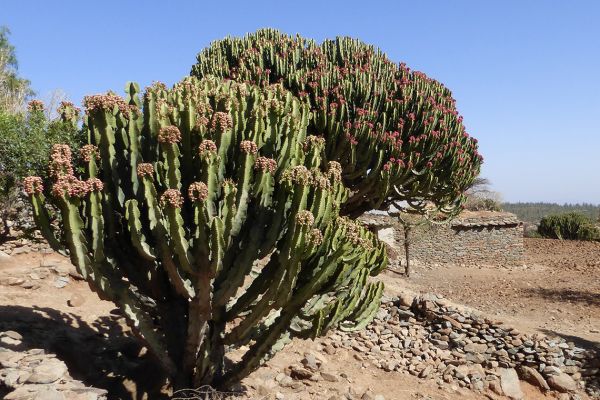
(556, 292)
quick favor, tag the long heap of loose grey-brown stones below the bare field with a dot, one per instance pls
(431, 338)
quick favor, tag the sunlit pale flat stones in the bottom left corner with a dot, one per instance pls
(35, 374)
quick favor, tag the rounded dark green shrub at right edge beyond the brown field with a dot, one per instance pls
(572, 226)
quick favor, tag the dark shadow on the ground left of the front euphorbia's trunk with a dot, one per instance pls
(101, 354)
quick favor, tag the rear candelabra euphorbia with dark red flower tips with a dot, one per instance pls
(395, 132)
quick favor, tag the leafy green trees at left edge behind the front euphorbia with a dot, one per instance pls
(27, 132)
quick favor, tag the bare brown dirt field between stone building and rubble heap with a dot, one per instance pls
(556, 292)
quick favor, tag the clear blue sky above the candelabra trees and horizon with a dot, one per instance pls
(526, 74)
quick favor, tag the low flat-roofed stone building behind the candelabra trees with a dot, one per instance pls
(473, 238)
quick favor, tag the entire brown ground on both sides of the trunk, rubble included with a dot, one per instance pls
(59, 341)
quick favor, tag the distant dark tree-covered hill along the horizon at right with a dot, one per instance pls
(534, 212)
